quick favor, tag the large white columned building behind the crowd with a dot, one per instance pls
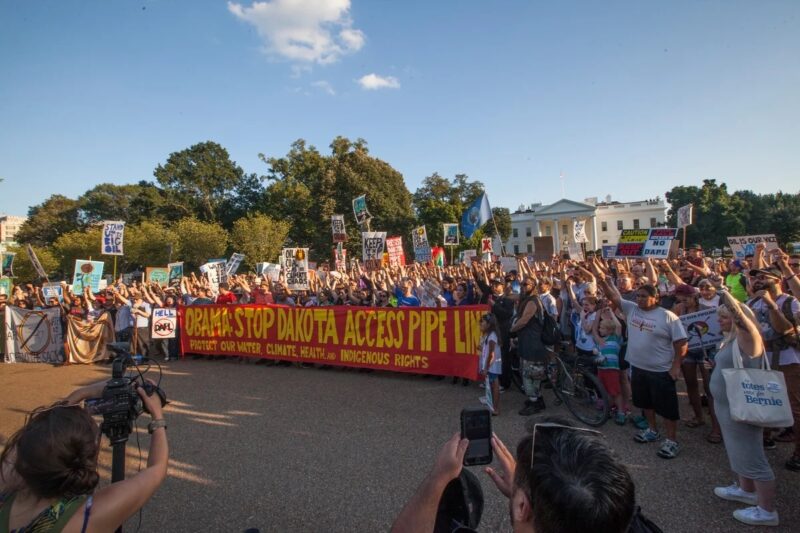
(604, 221)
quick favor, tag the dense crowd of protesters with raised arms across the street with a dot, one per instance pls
(623, 313)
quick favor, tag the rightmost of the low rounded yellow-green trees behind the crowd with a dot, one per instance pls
(259, 238)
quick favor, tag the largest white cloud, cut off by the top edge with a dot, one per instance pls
(311, 31)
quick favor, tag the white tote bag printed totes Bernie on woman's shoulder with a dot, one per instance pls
(757, 396)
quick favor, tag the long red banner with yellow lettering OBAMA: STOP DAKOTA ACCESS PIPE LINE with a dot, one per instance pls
(408, 339)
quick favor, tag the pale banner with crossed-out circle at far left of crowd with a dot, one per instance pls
(33, 336)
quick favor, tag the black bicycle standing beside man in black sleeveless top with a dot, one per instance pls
(574, 384)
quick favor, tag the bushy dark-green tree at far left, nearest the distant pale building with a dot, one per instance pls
(49, 220)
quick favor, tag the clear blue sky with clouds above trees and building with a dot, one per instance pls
(625, 98)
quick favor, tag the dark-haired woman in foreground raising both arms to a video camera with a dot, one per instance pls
(49, 472)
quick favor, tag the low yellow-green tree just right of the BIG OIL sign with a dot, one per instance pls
(149, 244)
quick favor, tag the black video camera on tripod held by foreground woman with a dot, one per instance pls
(120, 405)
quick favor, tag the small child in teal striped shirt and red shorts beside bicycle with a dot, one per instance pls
(607, 334)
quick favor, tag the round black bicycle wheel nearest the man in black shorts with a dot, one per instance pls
(585, 397)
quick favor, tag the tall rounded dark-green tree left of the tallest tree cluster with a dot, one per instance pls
(199, 180)
